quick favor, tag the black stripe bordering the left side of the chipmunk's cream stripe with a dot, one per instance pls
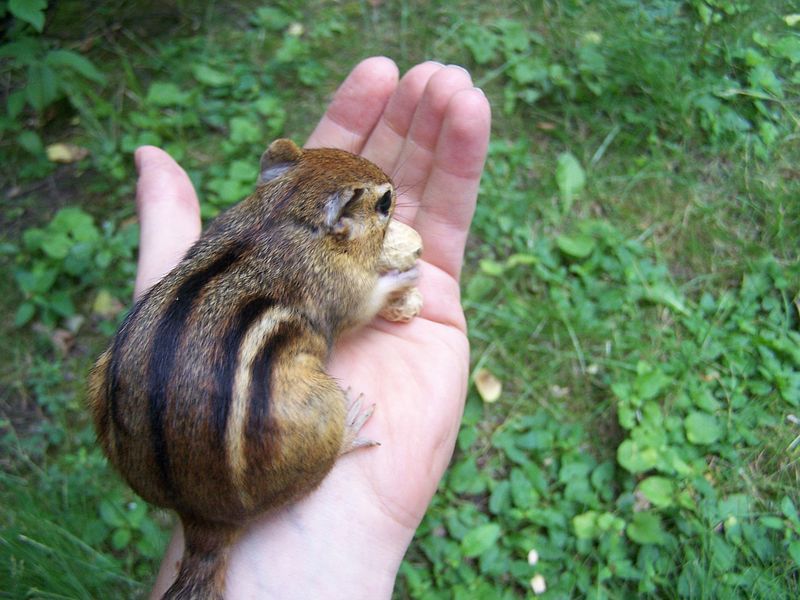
(229, 355)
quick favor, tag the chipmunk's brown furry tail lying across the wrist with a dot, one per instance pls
(202, 572)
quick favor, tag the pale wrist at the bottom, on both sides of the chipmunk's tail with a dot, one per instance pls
(335, 543)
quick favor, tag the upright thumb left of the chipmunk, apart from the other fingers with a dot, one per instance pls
(169, 215)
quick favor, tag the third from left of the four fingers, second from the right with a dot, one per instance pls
(415, 160)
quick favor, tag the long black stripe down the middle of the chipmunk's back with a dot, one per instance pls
(165, 347)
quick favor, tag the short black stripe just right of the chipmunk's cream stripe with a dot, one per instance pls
(260, 396)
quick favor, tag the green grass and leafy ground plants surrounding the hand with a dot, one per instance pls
(631, 279)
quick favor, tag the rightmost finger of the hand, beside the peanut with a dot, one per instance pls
(448, 202)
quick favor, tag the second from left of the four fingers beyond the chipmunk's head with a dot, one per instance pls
(386, 140)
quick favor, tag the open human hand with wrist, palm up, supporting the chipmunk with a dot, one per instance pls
(429, 132)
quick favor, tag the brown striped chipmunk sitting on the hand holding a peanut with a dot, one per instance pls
(213, 399)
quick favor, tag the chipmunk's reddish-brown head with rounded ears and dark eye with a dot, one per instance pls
(333, 192)
